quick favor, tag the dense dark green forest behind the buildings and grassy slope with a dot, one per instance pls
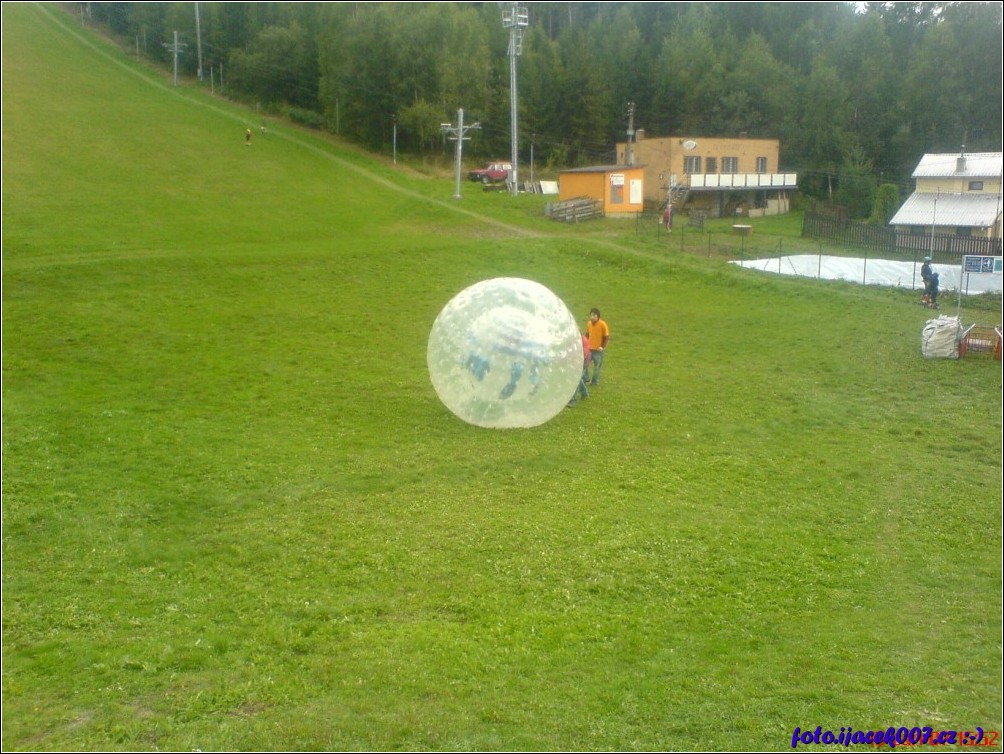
(857, 93)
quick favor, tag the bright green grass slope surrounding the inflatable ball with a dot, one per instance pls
(237, 518)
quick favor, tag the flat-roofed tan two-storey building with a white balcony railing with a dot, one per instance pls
(720, 177)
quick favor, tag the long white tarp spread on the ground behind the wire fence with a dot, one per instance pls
(877, 273)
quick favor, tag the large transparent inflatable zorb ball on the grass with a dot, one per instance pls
(506, 353)
